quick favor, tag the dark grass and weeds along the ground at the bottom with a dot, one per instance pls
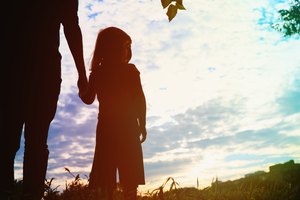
(281, 183)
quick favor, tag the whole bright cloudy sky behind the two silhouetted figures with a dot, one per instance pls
(222, 90)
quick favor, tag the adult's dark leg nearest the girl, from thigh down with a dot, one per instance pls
(38, 119)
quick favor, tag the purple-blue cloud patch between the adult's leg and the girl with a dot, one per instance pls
(71, 141)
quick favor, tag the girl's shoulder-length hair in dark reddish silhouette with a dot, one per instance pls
(108, 46)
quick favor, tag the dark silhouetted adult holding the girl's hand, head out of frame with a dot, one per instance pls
(31, 85)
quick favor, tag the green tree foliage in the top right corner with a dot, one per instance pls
(289, 20)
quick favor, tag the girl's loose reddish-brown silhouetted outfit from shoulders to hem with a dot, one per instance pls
(121, 101)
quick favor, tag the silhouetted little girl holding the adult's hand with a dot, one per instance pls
(122, 115)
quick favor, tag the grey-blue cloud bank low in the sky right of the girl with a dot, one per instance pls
(211, 139)
